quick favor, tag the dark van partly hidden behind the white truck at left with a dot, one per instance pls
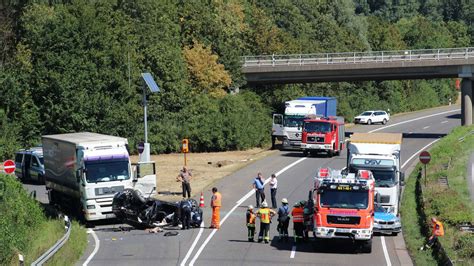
(30, 165)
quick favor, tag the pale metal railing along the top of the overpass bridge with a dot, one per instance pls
(359, 57)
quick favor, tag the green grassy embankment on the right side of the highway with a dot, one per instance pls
(452, 205)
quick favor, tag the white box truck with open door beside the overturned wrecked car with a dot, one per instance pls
(83, 172)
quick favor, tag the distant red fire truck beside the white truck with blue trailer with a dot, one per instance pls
(325, 134)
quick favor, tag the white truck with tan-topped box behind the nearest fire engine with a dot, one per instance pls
(379, 153)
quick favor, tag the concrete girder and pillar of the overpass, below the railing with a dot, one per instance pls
(281, 74)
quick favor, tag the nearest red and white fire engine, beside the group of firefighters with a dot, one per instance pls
(344, 207)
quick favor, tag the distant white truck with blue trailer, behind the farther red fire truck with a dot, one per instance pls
(287, 127)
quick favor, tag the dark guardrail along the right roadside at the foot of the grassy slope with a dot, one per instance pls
(440, 254)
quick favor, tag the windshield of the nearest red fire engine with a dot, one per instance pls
(345, 199)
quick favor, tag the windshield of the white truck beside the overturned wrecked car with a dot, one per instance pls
(106, 170)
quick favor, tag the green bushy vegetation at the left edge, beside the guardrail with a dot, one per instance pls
(19, 215)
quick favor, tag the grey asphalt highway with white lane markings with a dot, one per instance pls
(229, 246)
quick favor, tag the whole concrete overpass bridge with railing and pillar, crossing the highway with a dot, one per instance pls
(359, 66)
